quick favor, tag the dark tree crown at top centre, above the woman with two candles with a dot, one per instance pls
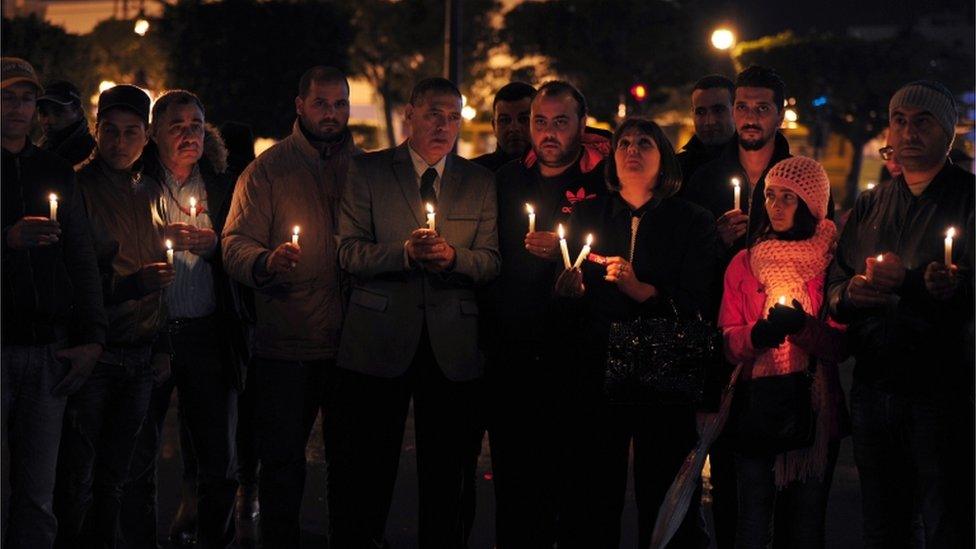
(605, 48)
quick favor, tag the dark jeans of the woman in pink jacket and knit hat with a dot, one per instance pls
(791, 518)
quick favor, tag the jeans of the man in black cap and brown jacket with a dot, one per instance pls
(101, 426)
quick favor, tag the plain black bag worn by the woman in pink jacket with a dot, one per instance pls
(774, 414)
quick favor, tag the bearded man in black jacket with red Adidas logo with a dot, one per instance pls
(528, 382)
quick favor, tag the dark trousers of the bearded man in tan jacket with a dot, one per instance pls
(291, 395)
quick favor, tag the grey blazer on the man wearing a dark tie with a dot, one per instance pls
(389, 304)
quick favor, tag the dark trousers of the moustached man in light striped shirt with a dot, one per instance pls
(208, 414)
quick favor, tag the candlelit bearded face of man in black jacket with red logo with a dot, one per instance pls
(557, 130)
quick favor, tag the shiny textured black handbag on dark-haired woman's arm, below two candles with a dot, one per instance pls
(654, 360)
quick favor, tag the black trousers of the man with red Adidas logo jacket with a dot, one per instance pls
(526, 400)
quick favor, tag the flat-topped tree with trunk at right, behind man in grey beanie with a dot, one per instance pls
(847, 82)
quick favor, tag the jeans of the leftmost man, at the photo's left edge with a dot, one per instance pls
(32, 431)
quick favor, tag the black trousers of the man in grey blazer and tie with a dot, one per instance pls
(363, 429)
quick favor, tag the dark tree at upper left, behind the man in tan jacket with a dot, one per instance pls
(244, 58)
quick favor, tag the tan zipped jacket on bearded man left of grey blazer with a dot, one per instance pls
(298, 314)
